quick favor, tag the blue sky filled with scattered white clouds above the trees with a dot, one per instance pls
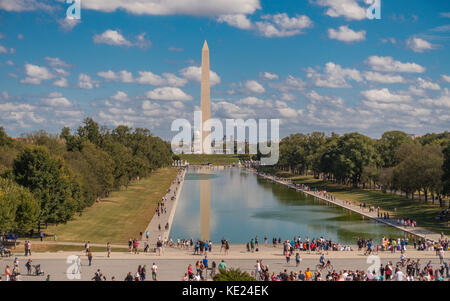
(317, 65)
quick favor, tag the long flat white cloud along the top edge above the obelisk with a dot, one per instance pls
(176, 7)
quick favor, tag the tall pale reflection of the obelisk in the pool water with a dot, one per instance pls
(205, 204)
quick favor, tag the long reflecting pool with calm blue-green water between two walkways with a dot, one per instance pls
(237, 204)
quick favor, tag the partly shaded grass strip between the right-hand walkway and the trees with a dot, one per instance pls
(396, 205)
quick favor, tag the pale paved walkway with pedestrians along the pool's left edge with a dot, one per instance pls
(164, 218)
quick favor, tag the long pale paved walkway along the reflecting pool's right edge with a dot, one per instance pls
(418, 231)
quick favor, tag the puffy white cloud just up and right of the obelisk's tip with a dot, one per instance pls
(281, 25)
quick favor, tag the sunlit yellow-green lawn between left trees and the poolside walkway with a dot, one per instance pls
(121, 216)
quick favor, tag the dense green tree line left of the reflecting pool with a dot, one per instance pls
(50, 178)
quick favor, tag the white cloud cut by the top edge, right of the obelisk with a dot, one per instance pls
(348, 9)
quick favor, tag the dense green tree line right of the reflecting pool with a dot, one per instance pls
(395, 162)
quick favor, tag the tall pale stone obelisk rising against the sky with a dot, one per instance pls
(205, 101)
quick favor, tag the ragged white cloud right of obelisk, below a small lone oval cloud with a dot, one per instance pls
(334, 77)
